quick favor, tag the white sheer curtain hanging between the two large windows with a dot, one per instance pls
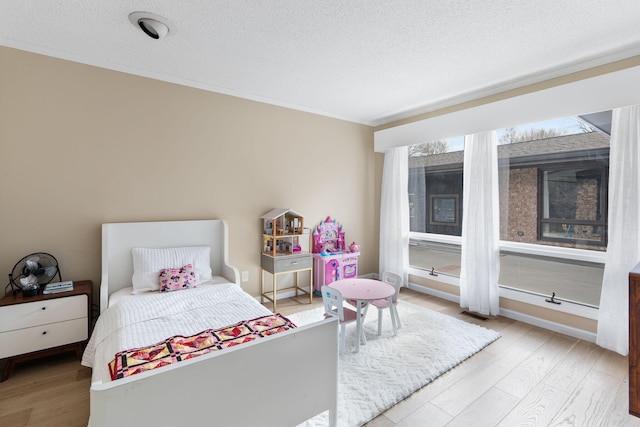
(480, 225)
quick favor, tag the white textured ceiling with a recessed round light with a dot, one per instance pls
(368, 61)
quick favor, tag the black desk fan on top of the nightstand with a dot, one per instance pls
(33, 271)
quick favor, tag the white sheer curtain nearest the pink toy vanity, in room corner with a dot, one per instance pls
(394, 213)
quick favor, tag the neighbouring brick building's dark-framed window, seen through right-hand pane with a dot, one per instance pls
(572, 204)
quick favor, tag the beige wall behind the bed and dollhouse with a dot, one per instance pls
(81, 146)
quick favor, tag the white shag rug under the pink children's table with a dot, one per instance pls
(388, 369)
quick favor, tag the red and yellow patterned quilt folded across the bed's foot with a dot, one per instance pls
(179, 348)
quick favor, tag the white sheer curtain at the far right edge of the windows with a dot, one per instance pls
(623, 248)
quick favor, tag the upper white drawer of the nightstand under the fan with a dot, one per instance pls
(25, 315)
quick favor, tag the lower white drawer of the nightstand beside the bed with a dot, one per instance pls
(42, 337)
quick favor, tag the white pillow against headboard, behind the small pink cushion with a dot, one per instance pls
(148, 262)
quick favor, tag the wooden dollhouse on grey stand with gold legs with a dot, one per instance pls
(285, 250)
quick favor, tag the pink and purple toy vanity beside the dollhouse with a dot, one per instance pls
(332, 259)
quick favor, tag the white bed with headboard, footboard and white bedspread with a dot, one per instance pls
(280, 380)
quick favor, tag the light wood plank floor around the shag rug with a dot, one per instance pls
(529, 377)
